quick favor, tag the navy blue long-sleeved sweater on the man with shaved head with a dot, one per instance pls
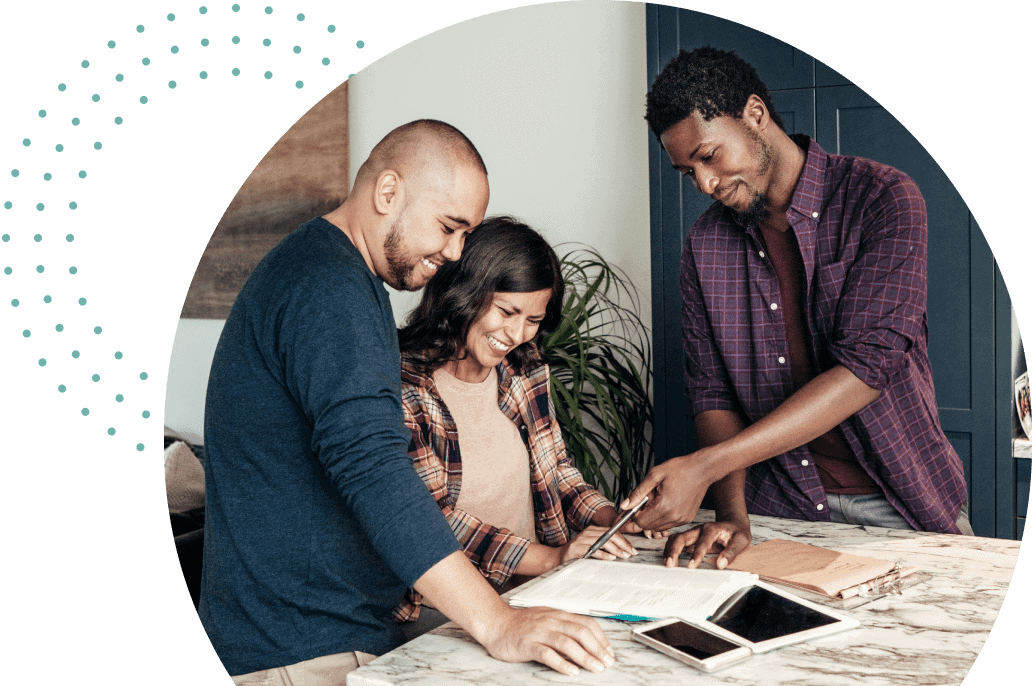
(316, 521)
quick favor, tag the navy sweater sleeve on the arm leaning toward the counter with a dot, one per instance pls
(340, 353)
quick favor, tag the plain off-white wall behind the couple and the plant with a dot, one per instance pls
(553, 97)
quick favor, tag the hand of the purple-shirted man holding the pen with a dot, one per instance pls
(681, 485)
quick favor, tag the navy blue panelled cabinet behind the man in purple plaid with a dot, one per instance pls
(967, 302)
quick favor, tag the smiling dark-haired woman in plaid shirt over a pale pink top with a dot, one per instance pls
(474, 383)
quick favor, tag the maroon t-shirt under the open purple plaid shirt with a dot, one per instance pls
(838, 467)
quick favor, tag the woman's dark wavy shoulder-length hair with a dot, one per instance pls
(503, 256)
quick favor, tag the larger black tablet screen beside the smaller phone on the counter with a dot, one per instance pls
(762, 615)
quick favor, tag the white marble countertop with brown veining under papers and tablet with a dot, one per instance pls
(930, 635)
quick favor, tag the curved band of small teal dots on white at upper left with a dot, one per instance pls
(167, 61)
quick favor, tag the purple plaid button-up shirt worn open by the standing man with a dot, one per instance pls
(862, 228)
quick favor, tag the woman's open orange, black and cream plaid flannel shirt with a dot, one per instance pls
(560, 495)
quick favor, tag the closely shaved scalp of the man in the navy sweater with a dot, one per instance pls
(425, 152)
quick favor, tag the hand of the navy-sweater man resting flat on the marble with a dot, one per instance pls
(558, 640)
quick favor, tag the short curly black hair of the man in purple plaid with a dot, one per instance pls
(710, 81)
